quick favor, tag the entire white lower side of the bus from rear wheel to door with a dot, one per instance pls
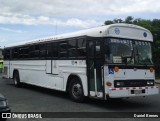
(34, 72)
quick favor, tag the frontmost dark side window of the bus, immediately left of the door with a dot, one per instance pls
(81, 48)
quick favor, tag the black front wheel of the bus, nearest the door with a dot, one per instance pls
(76, 90)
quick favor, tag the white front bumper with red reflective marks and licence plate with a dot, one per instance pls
(131, 91)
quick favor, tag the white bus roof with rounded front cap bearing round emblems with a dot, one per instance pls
(120, 30)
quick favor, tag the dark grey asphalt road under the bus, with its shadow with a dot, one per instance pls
(36, 99)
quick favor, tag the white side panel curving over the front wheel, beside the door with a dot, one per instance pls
(73, 67)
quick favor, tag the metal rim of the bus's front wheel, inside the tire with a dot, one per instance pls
(76, 90)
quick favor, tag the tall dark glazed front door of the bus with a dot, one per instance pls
(95, 69)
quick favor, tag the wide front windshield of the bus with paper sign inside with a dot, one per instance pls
(125, 51)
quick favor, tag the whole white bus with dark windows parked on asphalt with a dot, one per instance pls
(113, 61)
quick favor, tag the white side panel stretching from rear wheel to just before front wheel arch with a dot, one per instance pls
(34, 72)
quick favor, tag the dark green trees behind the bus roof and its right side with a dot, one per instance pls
(154, 27)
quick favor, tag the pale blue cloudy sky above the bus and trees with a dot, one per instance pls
(22, 20)
